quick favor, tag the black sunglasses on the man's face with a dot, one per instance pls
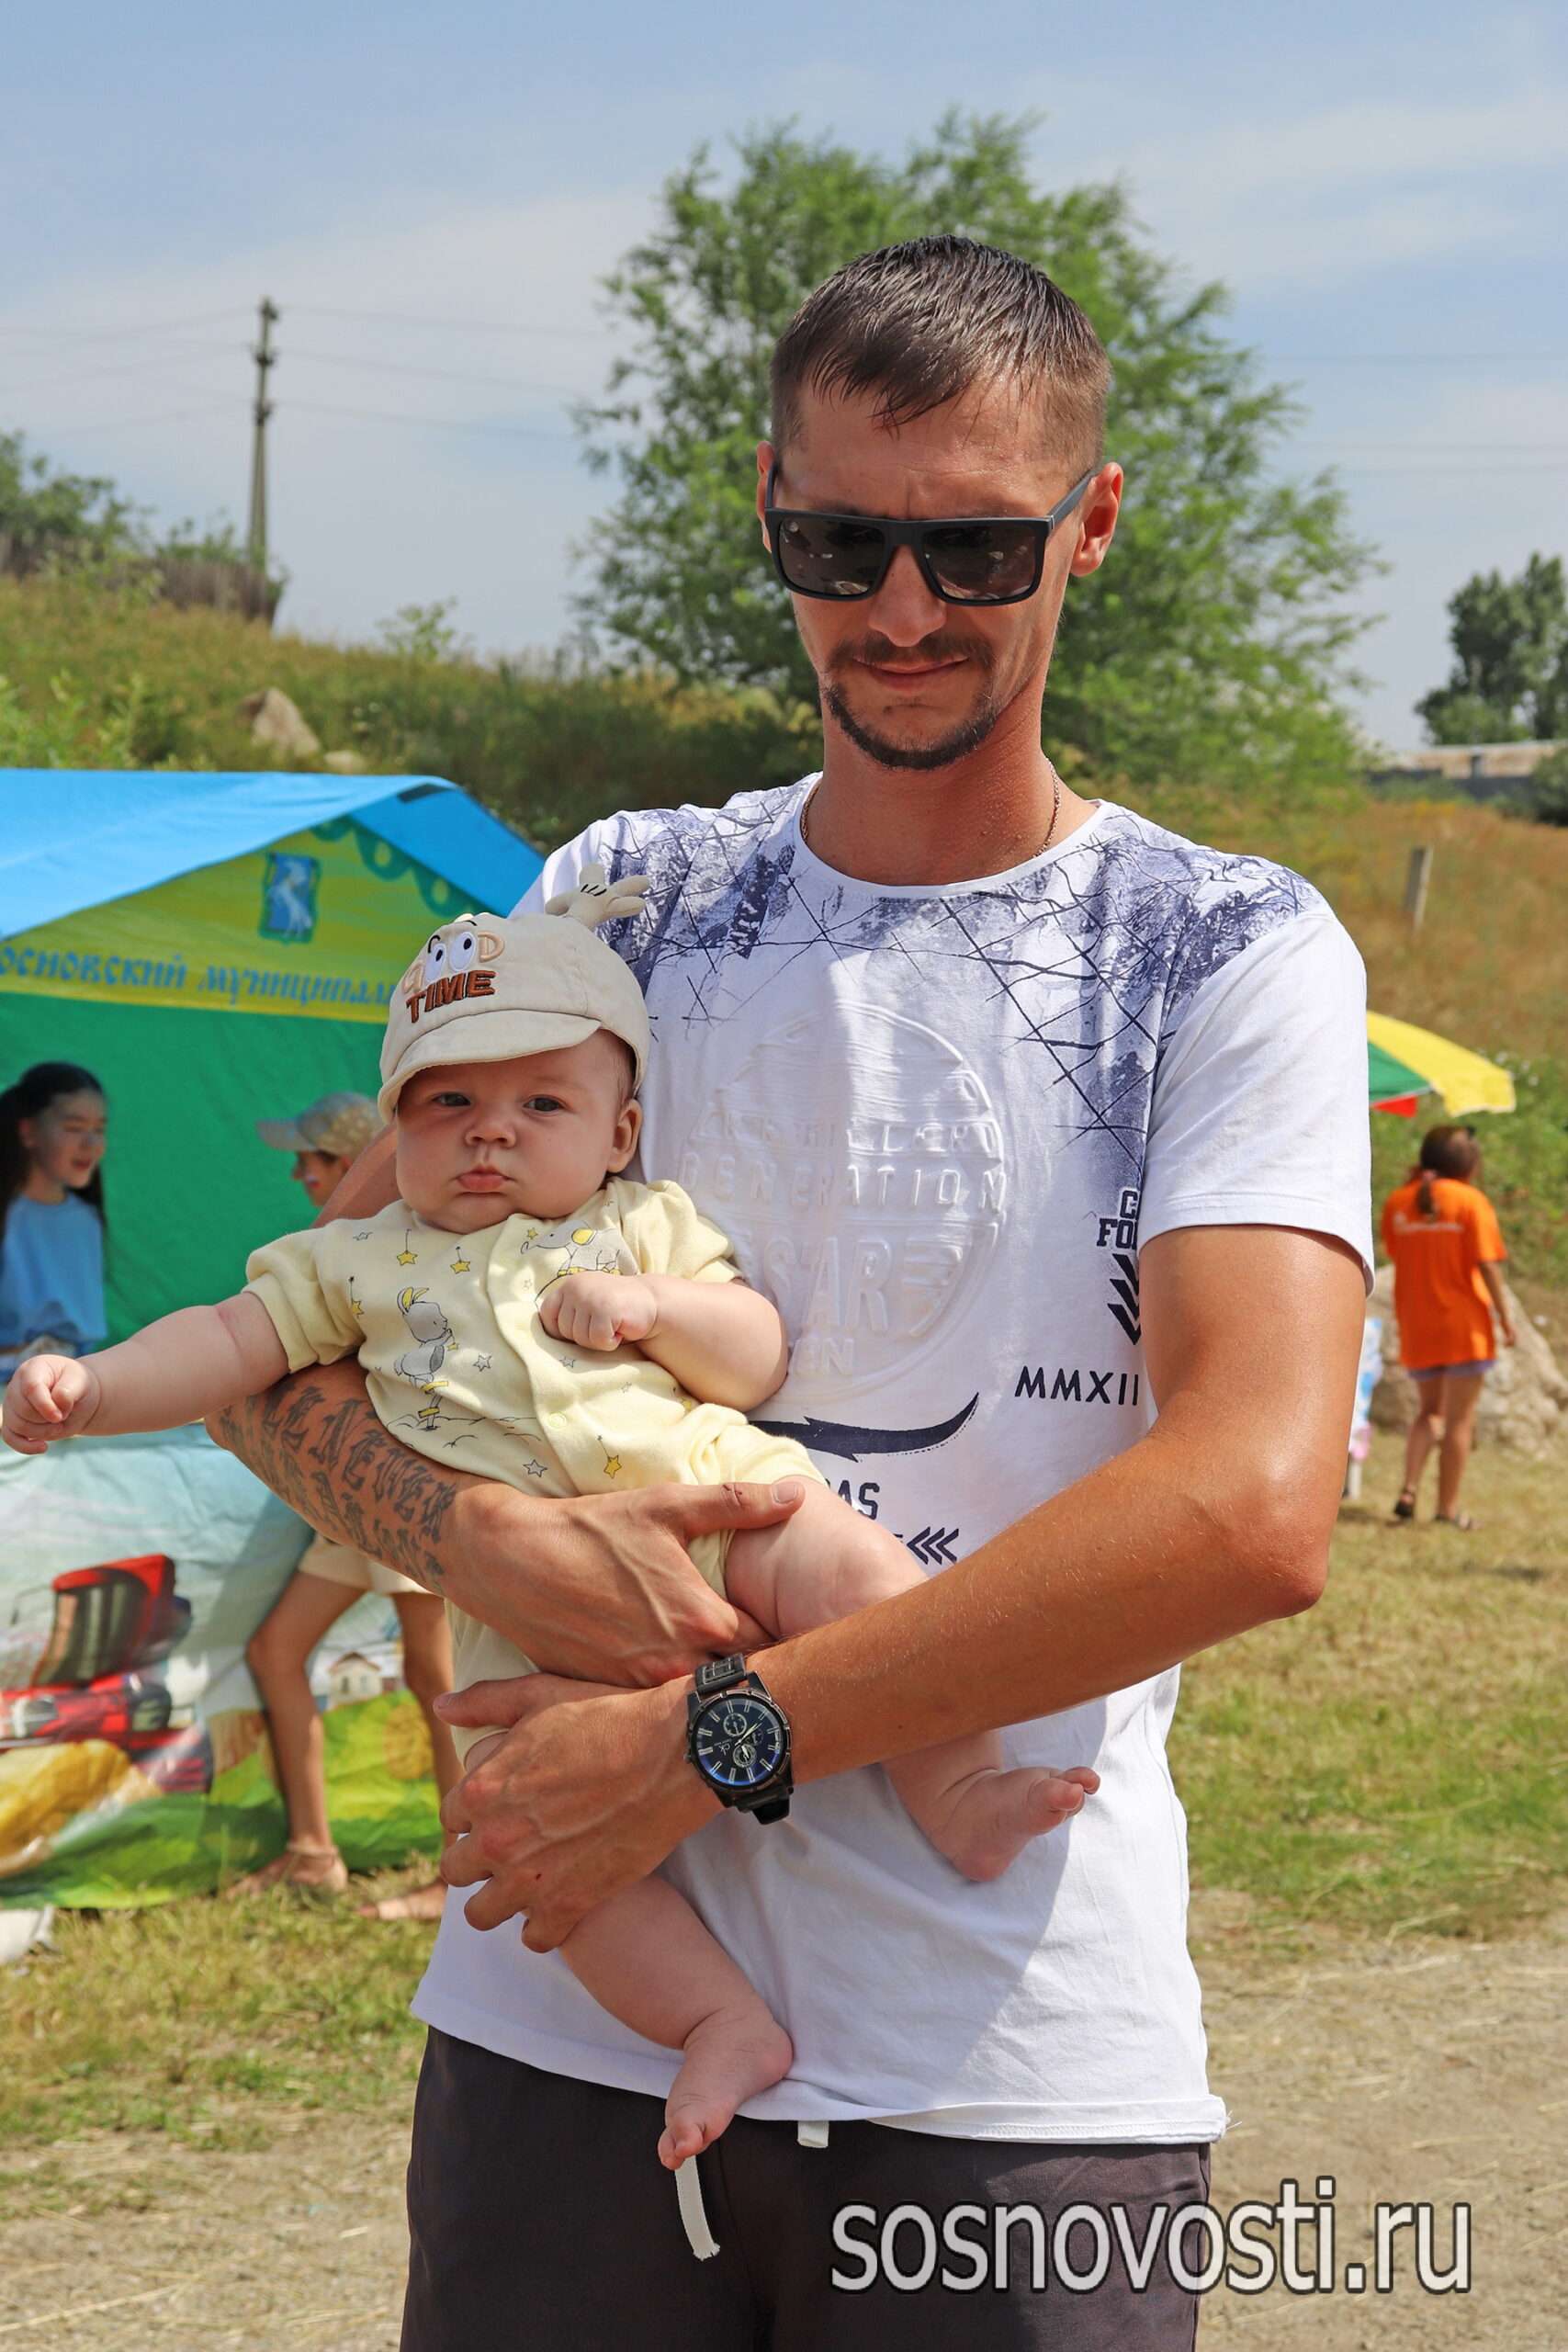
(963, 559)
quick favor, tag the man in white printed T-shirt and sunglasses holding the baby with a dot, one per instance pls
(1033, 1121)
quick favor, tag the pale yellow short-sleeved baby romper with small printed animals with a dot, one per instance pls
(460, 1365)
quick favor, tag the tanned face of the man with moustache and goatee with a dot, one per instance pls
(913, 681)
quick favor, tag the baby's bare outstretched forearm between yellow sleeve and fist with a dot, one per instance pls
(187, 1365)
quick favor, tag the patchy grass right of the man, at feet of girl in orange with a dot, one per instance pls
(1398, 1760)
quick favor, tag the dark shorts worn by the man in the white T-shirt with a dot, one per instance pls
(542, 2217)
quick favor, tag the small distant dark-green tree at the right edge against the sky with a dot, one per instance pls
(1510, 660)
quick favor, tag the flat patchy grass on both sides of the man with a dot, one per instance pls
(1391, 1765)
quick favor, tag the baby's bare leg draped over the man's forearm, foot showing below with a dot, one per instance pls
(824, 1565)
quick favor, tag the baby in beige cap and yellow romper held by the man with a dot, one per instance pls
(530, 1314)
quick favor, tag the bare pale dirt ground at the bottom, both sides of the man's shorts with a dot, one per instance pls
(1433, 2071)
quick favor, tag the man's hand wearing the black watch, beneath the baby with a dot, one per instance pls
(584, 1796)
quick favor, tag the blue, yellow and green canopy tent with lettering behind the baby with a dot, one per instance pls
(217, 951)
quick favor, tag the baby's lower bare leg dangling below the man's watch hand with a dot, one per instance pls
(648, 1960)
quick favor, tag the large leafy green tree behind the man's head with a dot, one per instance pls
(1217, 634)
